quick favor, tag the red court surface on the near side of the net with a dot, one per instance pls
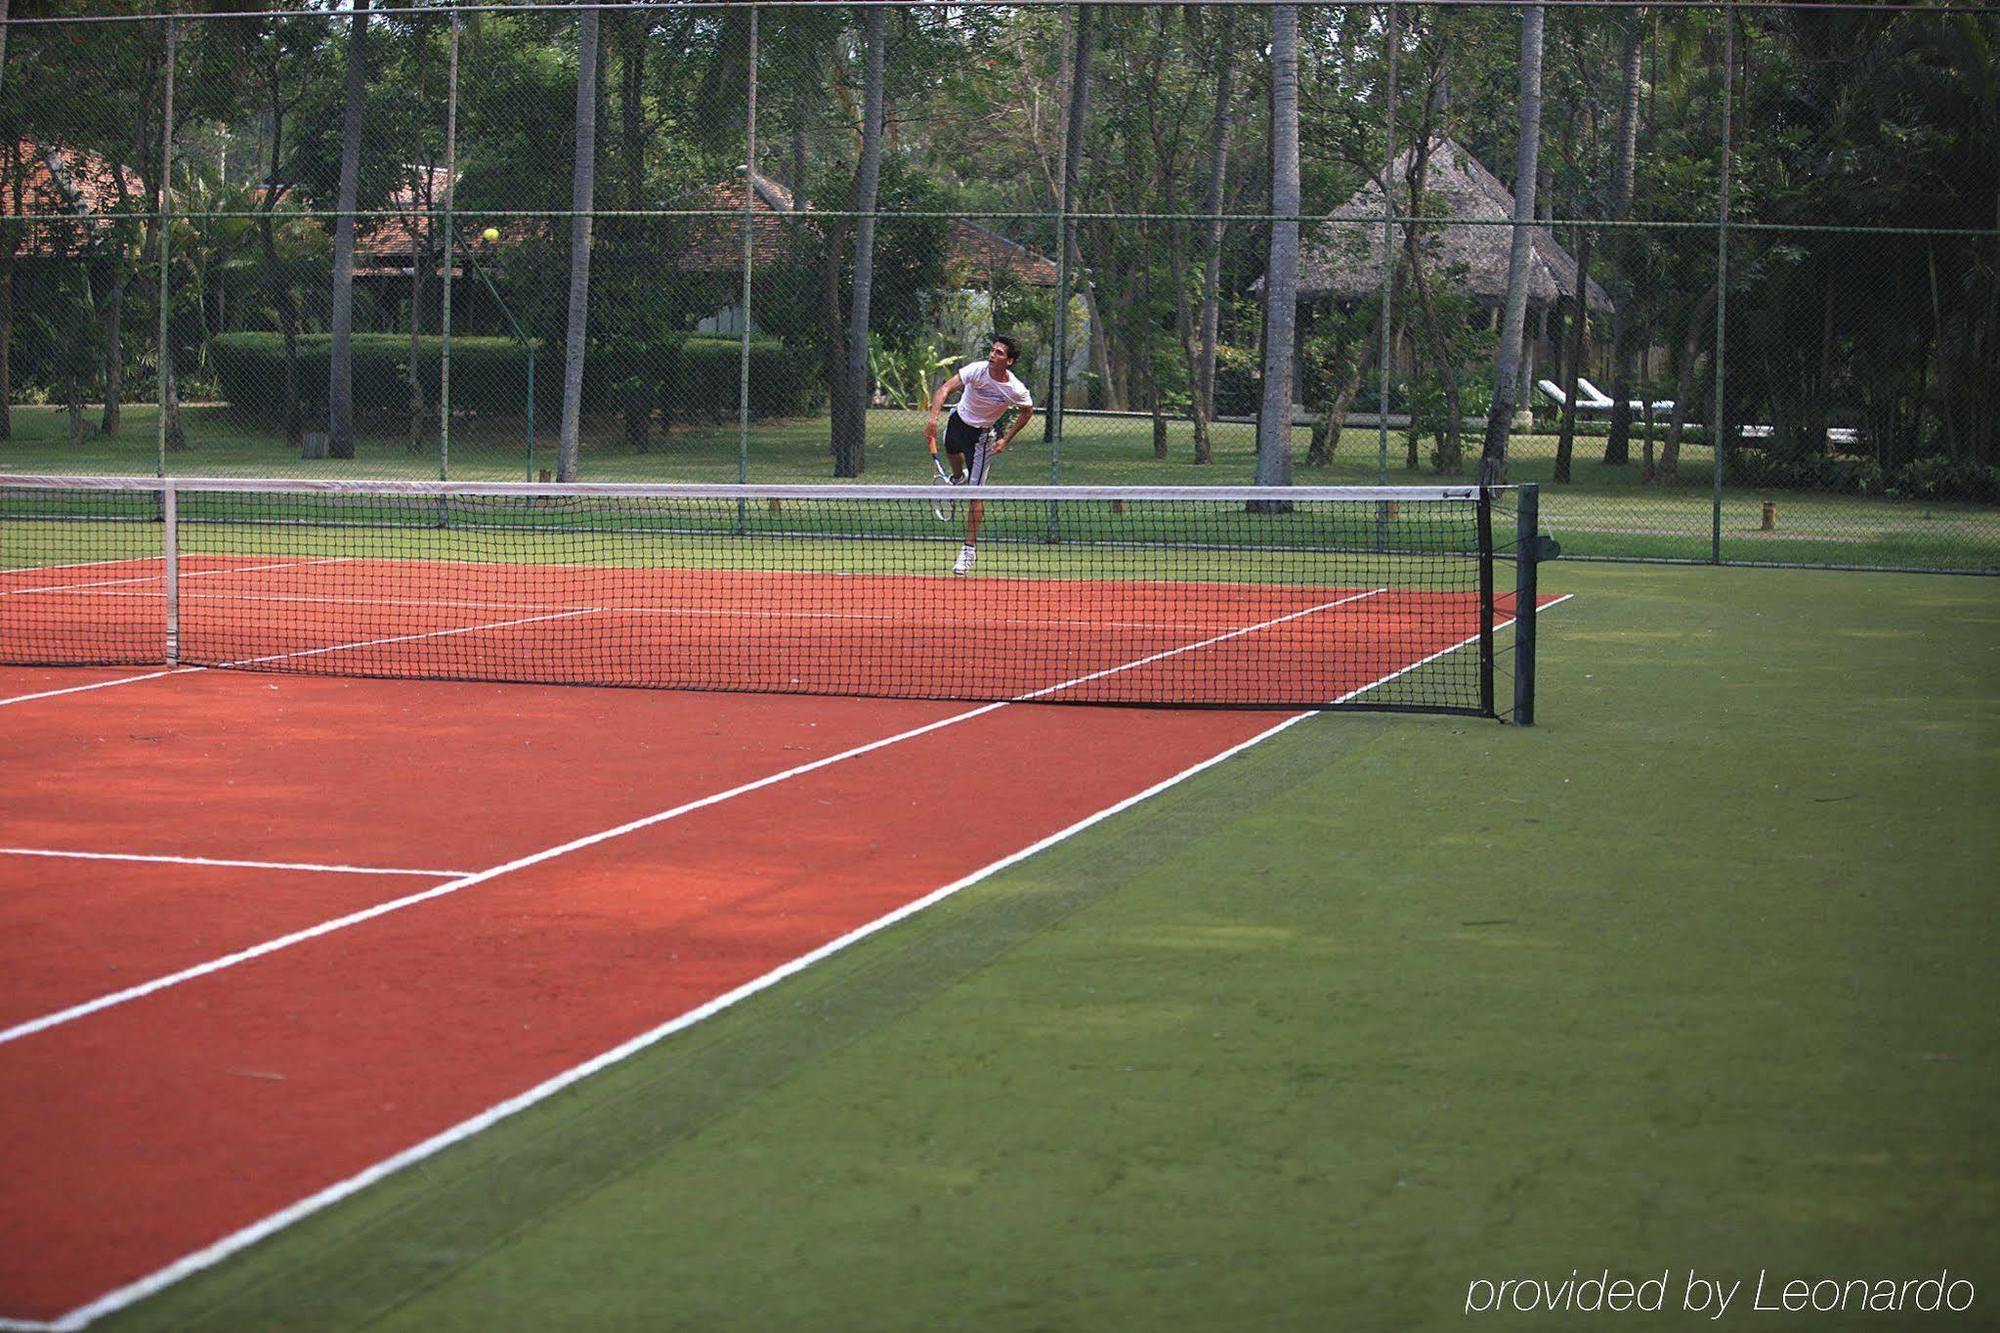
(607, 862)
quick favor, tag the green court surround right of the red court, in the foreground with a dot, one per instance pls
(1699, 974)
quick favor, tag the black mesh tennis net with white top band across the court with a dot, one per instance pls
(1301, 597)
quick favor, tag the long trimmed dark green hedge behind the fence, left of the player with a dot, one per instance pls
(689, 377)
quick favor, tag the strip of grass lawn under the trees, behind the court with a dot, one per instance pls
(1603, 511)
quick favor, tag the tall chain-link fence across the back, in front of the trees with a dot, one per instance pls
(387, 257)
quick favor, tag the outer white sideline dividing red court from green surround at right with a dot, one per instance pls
(543, 1092)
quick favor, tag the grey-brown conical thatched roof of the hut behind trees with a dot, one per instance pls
(1343, 259)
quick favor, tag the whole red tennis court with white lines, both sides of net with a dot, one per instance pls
(287, 930)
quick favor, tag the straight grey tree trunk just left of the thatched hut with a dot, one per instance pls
(1281, 287)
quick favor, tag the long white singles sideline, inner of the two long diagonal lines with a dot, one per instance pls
(659, 818)
